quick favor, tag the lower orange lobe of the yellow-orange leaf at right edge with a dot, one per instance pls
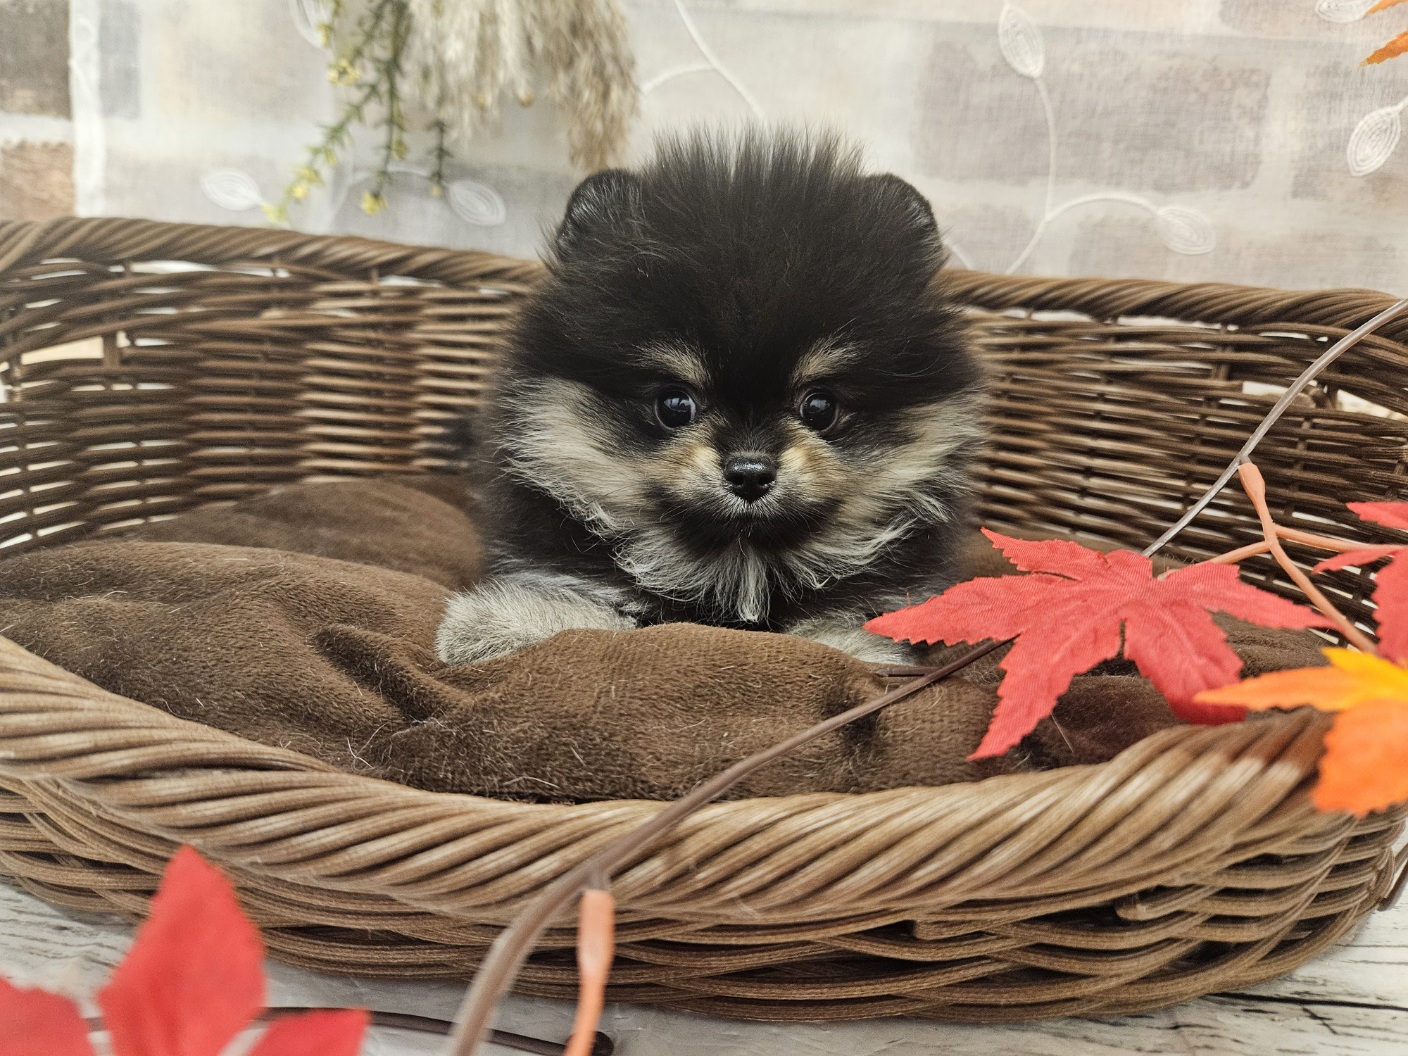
(1365, 767)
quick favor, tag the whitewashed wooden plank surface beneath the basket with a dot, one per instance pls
(1352, 1002)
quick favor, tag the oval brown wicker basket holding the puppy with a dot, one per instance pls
(206, 364)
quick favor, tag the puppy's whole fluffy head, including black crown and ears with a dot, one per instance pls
(747, 394)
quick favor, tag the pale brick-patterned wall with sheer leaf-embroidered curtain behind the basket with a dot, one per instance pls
(1234, 140)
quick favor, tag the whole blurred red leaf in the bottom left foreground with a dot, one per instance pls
(191, 983)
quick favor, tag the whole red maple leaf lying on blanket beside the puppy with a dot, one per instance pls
(1069, 616)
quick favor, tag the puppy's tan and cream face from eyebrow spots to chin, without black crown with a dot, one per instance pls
(765, 451)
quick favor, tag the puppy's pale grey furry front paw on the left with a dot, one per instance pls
(503, 616)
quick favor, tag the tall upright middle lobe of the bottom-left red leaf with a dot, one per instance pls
(195, 975)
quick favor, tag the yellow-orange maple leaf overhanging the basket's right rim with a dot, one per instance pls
(1365, 767)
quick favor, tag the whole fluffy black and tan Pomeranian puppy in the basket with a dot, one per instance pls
(736, 399)
